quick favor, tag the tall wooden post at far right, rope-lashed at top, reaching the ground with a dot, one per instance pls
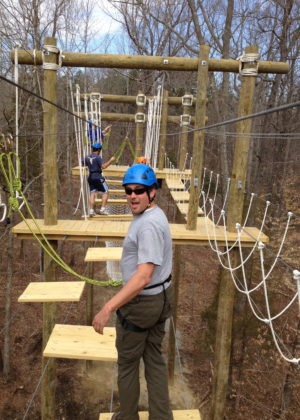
(235, 210)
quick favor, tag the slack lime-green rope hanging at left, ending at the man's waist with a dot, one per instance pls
(14, 186)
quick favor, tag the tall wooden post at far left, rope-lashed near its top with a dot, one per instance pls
(50, 217)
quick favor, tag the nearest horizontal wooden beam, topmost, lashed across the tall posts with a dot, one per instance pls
(122, 61)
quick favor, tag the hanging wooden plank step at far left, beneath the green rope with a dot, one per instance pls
(53, 291)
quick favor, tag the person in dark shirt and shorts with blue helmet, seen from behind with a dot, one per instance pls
(96, 180)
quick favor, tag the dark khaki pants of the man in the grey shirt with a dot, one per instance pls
(148, 312)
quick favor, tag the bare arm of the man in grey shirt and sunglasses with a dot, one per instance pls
(138, 281)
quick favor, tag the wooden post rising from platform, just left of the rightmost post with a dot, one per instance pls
(198, 145)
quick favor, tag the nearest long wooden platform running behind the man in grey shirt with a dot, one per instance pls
(113, 230)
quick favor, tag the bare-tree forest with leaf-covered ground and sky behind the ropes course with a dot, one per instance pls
(262, 385)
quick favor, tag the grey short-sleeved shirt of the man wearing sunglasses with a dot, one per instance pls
(148, 240)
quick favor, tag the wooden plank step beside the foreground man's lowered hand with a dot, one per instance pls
(81, 342)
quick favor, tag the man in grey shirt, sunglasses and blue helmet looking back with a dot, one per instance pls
(144, 302)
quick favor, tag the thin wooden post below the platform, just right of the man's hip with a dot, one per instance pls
(172, 328)
